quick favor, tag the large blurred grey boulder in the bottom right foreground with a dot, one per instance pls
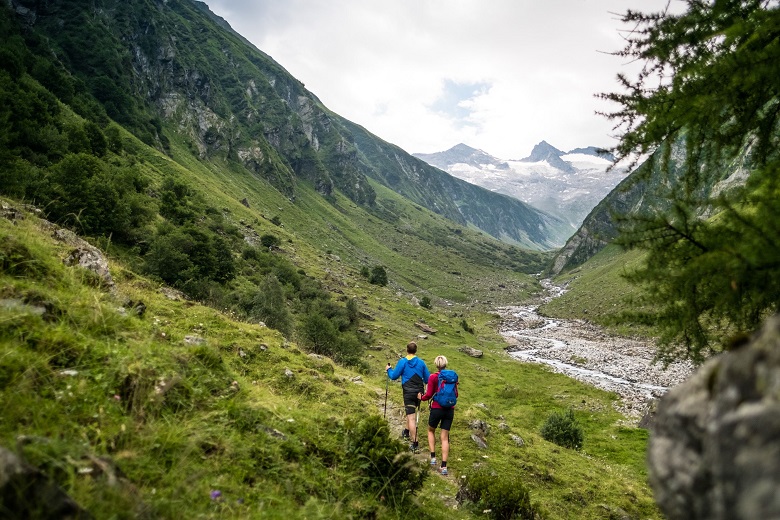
(715, 446)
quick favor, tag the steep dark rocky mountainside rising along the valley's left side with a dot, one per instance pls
(234, 103)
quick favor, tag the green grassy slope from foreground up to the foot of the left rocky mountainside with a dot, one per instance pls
(180, 429)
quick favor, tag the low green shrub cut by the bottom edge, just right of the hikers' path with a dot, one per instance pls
(502, 496)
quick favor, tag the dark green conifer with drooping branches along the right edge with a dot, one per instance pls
(707, 103)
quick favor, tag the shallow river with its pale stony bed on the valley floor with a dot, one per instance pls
(586, 352)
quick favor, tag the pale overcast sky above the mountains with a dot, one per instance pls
(498, 75)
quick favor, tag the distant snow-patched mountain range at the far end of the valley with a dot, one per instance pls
(565, 184)
